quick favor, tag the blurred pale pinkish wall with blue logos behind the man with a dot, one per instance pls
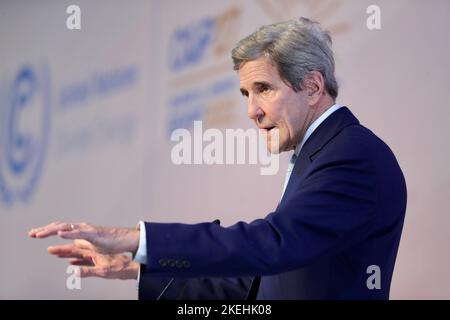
(86, 117)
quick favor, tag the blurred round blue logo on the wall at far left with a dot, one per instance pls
(25, 121)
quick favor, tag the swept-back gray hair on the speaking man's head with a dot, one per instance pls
(295, 47)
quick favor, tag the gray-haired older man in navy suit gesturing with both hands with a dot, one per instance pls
(336, 230)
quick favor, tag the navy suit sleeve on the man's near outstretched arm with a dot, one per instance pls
(332, 209)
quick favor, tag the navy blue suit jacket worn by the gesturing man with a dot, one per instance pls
(342, 212)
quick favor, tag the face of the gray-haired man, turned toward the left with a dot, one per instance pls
(273, 104)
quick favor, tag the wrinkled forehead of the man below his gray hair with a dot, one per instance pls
(259, 70)
